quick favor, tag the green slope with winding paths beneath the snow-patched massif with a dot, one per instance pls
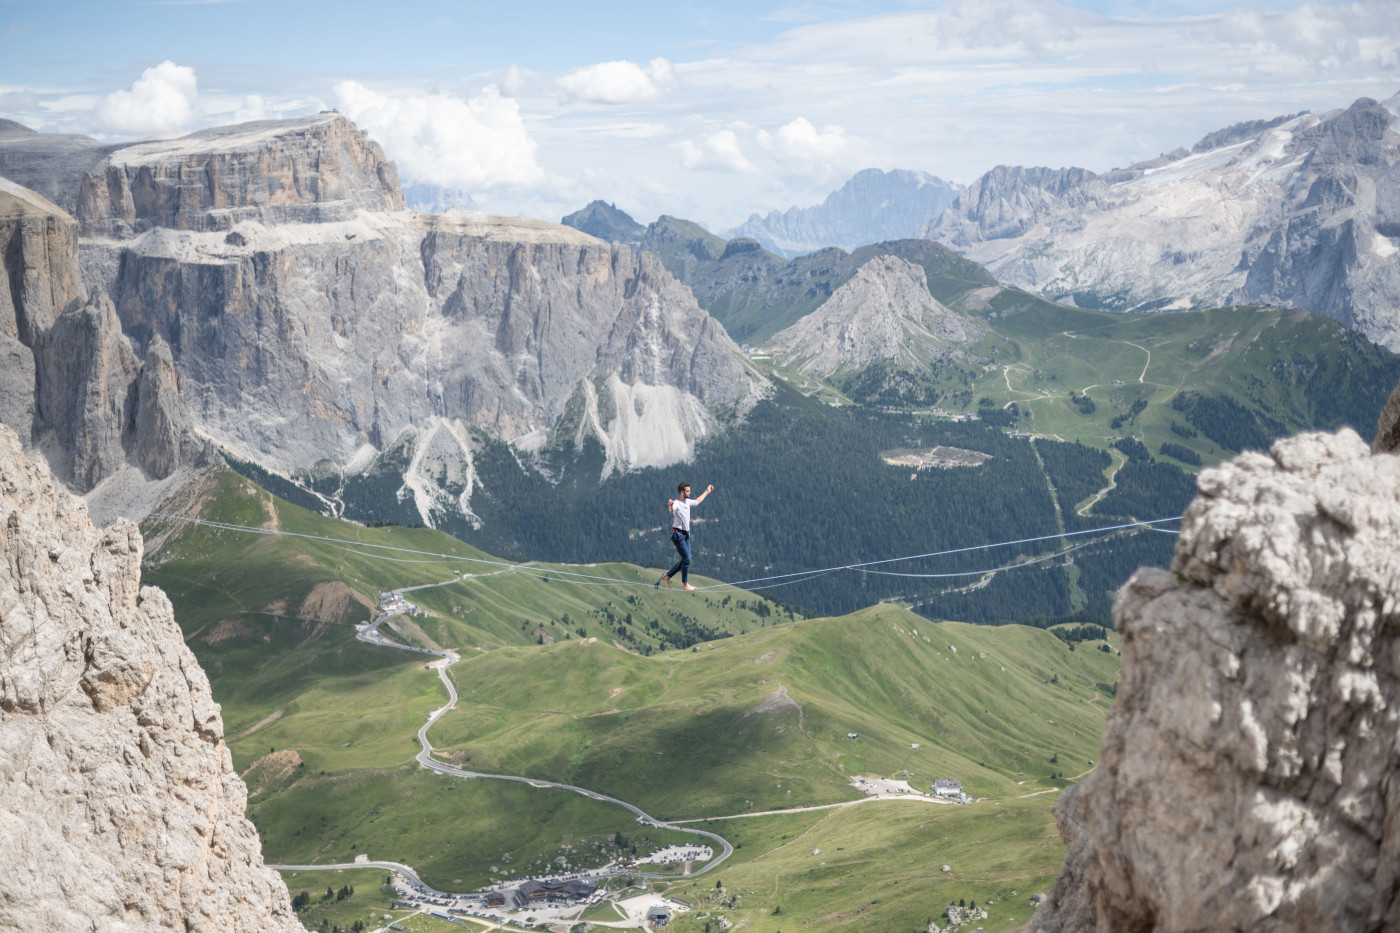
(1301, 372)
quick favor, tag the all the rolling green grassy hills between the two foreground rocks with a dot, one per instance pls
(600, 715)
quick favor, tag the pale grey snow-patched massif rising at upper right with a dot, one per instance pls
(1293, 212)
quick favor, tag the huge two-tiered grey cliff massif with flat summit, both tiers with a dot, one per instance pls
(310, 320)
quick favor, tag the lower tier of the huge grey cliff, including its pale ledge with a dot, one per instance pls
(323, 341)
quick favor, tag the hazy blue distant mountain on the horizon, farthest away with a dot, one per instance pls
(873, 207)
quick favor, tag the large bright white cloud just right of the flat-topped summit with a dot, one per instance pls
(444, 141)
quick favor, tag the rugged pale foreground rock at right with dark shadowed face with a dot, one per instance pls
(1251, 773)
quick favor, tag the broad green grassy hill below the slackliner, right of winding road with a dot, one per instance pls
(684, 738)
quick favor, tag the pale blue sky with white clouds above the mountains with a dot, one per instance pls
(709, 111)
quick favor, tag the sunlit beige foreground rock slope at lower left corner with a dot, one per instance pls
(120, 806)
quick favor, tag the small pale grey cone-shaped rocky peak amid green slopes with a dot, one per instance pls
(883, 315)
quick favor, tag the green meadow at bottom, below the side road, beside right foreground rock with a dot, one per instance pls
(880, 866)
